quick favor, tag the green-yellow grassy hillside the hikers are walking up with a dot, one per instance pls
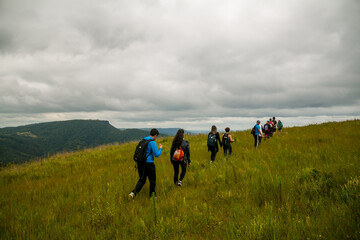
(301, 185)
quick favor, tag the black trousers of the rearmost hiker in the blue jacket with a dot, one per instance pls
(146, 170)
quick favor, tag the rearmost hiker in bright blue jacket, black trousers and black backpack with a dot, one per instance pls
(147, 169)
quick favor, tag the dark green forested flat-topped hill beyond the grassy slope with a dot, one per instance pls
(20, 144)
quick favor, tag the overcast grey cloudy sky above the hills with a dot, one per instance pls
(184, 63)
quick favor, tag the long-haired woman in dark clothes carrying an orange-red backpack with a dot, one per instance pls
(180, 156)
